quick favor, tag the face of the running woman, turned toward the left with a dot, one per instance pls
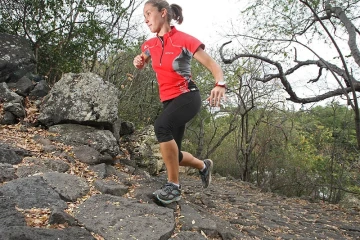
(153, 18)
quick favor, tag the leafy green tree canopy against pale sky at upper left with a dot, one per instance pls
(69, 35)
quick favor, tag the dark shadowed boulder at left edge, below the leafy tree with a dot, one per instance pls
(16, 57)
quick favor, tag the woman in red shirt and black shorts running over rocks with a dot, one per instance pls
(171, 52)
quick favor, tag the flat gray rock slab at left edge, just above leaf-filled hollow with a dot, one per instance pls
(32, 192)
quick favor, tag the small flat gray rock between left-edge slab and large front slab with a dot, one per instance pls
(69, 187)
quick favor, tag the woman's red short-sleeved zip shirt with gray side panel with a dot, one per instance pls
(171, 60)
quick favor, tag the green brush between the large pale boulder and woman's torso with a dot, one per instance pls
(139, 97)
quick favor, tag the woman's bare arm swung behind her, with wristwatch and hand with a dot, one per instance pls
(217, 92)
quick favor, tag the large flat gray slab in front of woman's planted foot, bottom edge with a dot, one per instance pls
(120, 218)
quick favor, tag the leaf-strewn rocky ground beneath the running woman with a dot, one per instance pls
(228, 209)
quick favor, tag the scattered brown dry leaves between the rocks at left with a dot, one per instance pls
(23, 137)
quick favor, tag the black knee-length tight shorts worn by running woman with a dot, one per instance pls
(176, 113)
